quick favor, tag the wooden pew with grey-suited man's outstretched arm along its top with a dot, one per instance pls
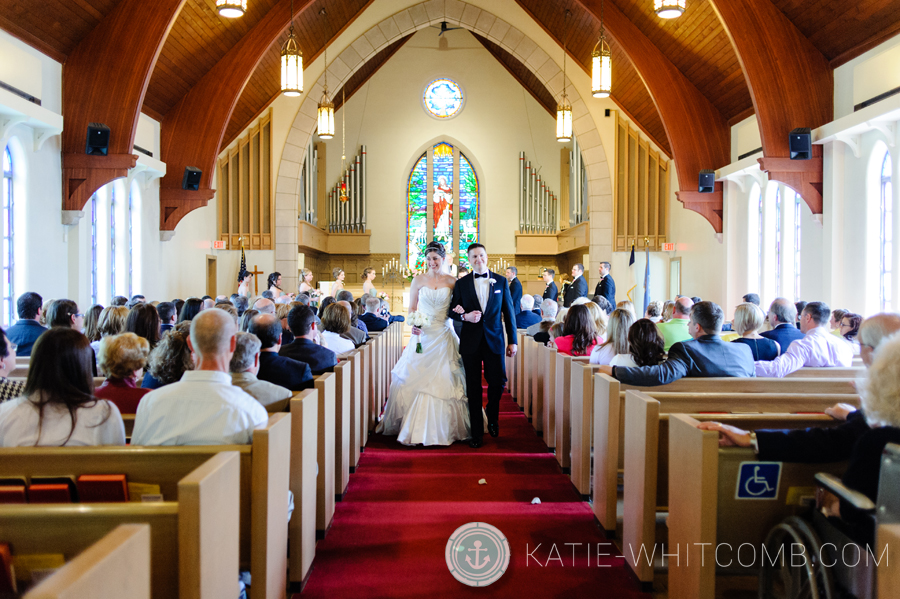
(757, 395)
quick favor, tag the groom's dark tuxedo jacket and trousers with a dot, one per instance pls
(482, 343)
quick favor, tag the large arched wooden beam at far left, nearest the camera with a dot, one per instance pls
(105, 79)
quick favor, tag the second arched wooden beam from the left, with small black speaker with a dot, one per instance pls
(193, 130)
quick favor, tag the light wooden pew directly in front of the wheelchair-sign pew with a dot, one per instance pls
(646, 460)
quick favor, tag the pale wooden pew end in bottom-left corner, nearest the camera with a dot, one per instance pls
(116, 566)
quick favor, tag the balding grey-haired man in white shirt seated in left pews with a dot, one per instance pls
(203, 408)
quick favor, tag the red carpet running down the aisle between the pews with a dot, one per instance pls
(391, 530)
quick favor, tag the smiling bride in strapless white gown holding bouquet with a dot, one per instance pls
(428, 404)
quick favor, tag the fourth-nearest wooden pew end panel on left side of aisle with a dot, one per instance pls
(303, 483)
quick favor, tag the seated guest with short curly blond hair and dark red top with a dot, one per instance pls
(123, 358)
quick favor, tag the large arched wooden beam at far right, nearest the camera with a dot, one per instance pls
(791, 83)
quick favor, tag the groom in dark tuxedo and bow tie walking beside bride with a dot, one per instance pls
(479, 299)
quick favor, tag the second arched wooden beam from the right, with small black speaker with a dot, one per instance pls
(696, 129)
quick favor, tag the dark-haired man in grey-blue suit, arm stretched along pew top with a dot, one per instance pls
(706, 355)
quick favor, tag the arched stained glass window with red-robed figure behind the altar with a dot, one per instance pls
(454, 205)
